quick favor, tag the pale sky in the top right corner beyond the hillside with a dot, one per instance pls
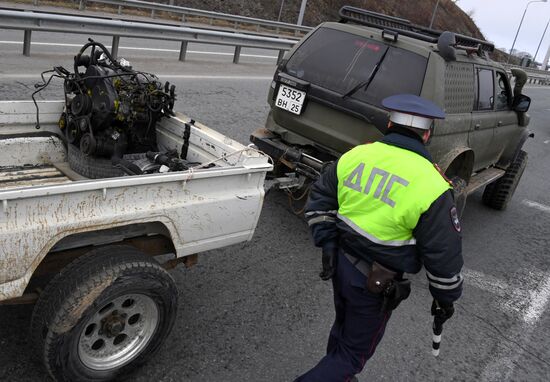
(499, 21)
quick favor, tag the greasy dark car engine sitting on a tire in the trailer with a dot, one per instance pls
(111, 109)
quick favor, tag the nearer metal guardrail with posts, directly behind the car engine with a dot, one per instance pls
(44, 22)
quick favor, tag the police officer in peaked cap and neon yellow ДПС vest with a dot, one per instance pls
(382, 210)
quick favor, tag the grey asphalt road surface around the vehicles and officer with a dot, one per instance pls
(258, 312)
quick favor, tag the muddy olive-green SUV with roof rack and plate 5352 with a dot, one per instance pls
(326, 98)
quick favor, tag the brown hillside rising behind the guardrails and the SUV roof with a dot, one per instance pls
(449, 16)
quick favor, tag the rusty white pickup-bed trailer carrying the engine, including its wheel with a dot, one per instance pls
(83, 249)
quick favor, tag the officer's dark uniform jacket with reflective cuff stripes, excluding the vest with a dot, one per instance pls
(438, 239)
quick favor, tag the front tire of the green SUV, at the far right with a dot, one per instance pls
(498, 194)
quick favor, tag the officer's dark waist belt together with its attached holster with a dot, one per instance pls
(383, 281)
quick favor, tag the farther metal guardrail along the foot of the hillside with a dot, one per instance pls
(184, 12)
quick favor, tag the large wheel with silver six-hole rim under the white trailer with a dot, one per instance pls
(103, 315)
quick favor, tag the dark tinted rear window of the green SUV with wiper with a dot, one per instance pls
(341, 61)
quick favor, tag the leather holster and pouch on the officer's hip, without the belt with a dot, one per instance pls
(381, 280)
